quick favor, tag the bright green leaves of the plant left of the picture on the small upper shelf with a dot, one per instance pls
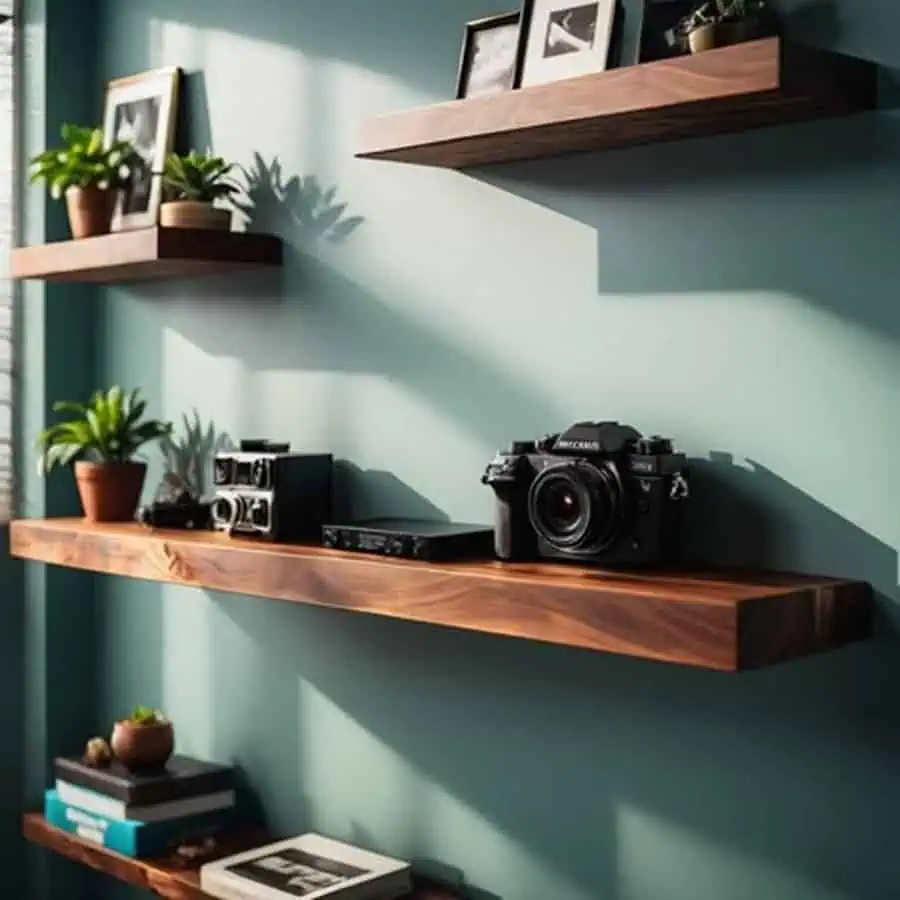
(84, 162)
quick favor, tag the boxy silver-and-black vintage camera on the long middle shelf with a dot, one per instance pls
(263, 489)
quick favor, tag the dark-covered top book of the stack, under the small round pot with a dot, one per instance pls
(182, 777)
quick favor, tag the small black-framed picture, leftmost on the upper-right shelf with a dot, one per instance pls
(487, 64)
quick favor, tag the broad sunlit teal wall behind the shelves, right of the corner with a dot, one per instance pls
(735, 293)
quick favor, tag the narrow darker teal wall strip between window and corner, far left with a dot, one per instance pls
(48, 619)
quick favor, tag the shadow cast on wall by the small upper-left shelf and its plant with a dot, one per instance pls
(327, 322)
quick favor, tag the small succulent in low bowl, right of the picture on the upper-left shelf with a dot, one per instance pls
(193, 183)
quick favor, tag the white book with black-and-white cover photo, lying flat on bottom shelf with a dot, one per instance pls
(309, 866)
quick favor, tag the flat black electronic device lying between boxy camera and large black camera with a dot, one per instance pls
(412, 539)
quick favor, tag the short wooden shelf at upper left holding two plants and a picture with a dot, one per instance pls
(147, 254)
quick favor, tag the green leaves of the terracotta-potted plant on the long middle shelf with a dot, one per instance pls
(108, 428)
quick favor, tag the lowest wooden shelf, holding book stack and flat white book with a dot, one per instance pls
(158, 876)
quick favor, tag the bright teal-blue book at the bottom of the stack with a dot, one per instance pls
(131, 837)
